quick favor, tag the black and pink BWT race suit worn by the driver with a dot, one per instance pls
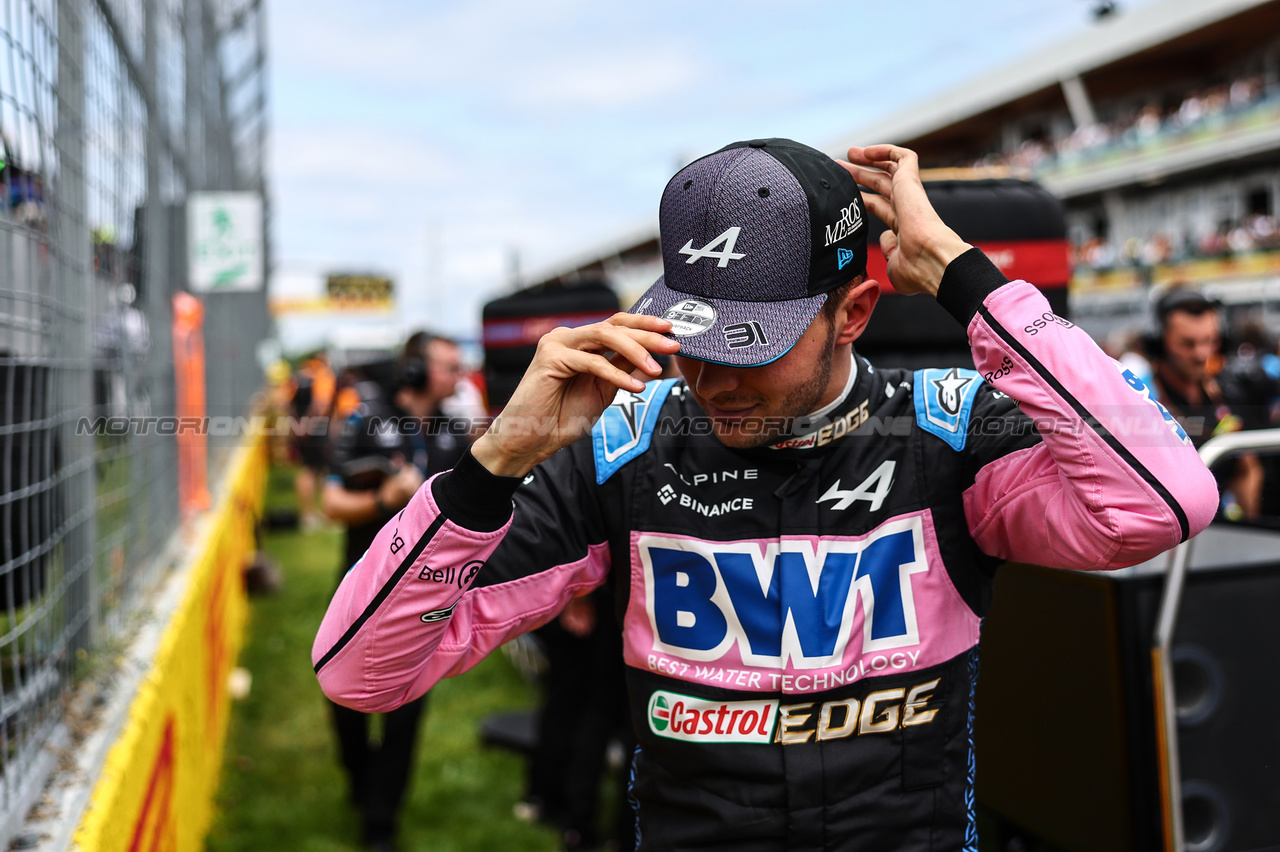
(801, 621)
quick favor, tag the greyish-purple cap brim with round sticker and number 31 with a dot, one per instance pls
(738, 335)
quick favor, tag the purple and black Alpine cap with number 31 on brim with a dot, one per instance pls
(753, 239)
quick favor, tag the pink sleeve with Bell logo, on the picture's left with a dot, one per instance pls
(406, 616)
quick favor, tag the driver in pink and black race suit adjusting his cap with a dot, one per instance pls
(802, 547)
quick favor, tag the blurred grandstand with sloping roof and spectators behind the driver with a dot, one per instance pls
(1159, 130)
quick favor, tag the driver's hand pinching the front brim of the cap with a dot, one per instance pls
(573, 379)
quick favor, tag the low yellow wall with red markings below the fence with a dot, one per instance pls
(157, 789)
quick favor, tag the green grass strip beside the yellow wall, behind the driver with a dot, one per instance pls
(282, 786)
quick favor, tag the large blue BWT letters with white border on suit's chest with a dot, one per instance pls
(784, 604)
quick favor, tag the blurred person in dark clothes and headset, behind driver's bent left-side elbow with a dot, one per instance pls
(382, 454)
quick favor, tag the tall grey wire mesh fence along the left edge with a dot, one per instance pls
(112, 112)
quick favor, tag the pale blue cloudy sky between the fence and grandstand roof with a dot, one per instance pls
(432, 141)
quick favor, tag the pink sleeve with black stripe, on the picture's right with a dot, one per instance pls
(1116, 480)
